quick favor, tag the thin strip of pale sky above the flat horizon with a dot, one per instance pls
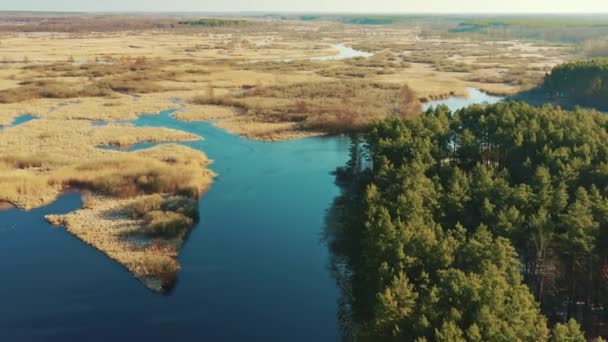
(351, 6)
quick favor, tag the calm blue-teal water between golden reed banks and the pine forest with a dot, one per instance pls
(253, 268)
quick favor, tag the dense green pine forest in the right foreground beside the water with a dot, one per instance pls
(487, 224)
